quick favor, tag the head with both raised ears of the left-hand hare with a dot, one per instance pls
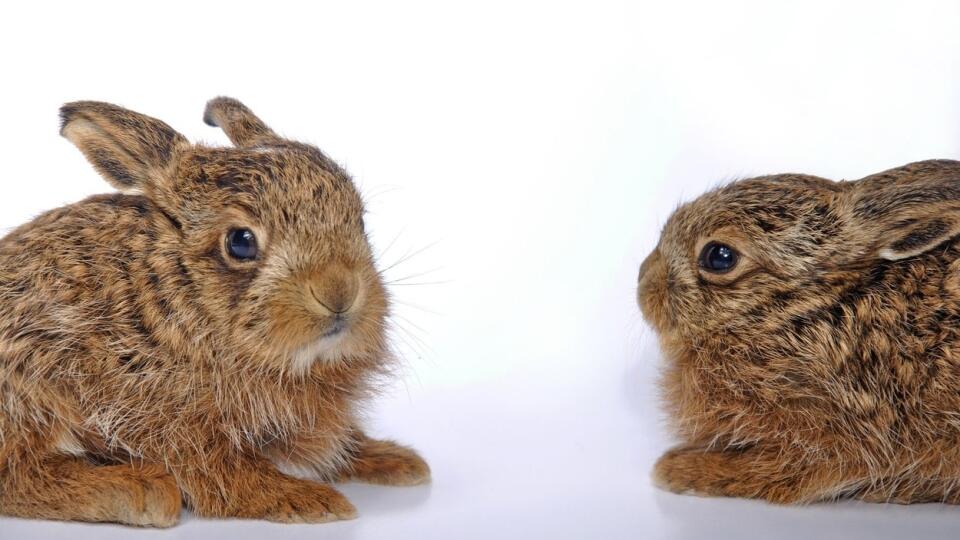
(270, 231)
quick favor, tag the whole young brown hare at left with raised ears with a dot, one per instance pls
(206, 335)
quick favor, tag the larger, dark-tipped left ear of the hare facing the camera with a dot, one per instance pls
(127, 148)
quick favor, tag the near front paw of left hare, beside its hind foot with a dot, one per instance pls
(304, 501)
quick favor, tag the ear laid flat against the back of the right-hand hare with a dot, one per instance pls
(910, 210)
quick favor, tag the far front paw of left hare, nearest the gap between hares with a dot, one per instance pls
(387, 463)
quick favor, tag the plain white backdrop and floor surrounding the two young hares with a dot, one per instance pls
(525, 154)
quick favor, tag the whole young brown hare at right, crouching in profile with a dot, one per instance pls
(812, 335)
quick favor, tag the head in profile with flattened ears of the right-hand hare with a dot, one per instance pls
(745, 257)
